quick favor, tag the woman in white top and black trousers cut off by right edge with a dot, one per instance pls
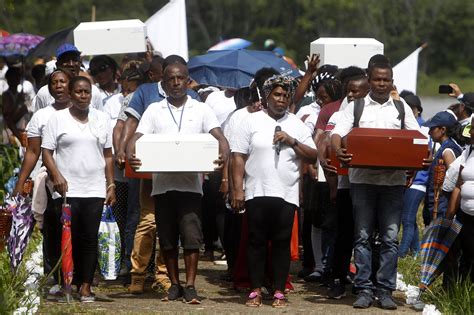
(461, 204)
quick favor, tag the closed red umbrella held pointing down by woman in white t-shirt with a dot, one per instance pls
(67, 264)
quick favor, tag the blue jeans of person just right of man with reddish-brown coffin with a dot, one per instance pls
(410, 238)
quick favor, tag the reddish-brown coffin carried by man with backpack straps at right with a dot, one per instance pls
(387, 148)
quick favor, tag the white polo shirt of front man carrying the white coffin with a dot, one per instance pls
(162, 117)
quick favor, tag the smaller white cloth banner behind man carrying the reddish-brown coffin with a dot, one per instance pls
(405, 73)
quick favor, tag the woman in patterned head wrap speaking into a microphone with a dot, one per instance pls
(267, 150)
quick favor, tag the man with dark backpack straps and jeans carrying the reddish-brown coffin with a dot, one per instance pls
(377, 194)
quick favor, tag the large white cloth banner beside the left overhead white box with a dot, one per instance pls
(166, 29)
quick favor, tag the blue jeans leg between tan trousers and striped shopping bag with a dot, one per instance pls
(133, 216)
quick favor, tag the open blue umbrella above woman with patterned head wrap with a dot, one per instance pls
(235, 68)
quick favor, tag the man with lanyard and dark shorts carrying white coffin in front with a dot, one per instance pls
(178, 195)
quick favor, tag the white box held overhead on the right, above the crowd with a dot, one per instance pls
(346, 51)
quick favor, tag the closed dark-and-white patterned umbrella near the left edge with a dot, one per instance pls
(22, 227)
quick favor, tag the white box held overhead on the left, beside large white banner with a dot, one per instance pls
(110, 37)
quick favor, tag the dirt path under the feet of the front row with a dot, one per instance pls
(217, 297)
